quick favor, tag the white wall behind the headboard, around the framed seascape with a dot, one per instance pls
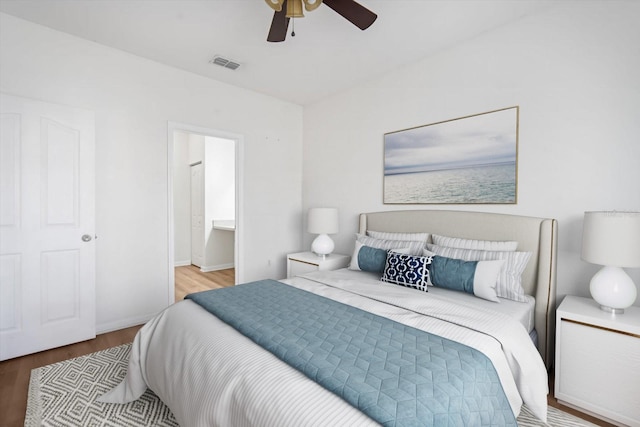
(572, 69)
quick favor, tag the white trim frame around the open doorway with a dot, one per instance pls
(239, 160)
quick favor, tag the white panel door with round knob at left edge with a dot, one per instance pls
(47, 248)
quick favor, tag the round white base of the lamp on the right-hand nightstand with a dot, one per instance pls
(613, 289)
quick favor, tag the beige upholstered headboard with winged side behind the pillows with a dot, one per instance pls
(536, 235)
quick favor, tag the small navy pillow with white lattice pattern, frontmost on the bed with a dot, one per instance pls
(407, 270)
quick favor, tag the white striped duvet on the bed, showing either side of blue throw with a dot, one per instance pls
(210, 375)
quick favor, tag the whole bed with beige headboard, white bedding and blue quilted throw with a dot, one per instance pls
(211, 373)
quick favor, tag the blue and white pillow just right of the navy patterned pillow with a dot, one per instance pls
(478, 278)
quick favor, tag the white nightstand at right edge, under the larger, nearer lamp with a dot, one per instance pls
(597, 366)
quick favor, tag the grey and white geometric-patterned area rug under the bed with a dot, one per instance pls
(64, 394)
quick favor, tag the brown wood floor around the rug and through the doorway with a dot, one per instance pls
(15, 373)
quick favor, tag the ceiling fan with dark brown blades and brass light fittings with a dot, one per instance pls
(353, 12)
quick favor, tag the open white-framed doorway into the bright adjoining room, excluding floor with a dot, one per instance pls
(204, 202)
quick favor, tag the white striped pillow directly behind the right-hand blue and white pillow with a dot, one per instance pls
(510, 279)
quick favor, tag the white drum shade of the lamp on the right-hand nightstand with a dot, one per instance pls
(611, 238)
